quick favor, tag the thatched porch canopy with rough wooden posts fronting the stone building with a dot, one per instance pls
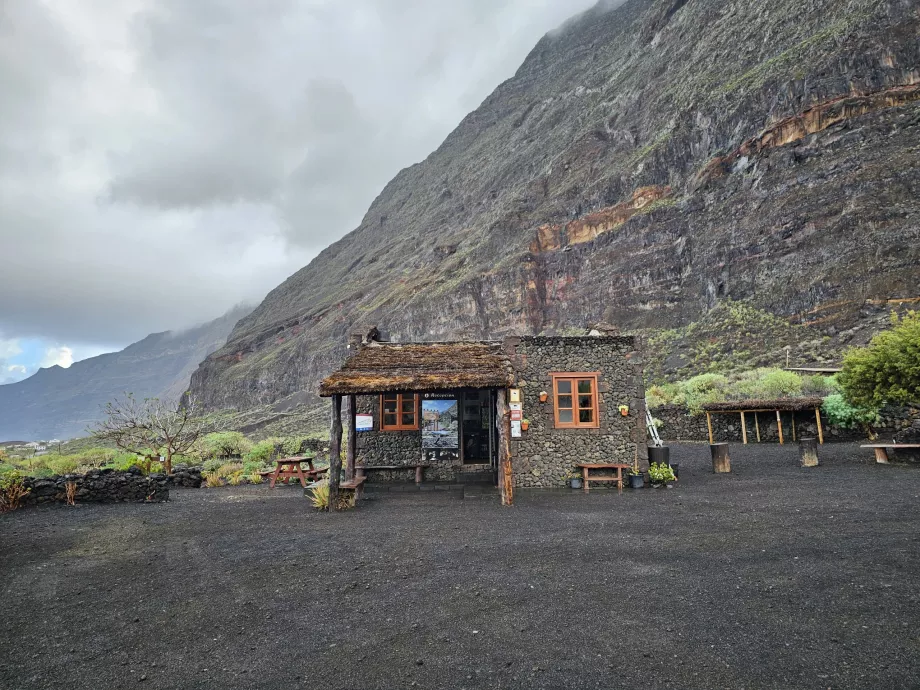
(377, 368)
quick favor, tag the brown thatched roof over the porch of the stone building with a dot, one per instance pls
(417, 367)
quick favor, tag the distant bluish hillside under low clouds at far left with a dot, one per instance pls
(60, 403)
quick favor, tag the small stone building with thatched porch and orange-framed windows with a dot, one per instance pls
(520, 412)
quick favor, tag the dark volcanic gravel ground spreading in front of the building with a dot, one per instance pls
(774, 576)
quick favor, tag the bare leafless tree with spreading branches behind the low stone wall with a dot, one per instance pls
(148, 426)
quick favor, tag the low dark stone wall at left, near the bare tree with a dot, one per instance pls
(100, 486)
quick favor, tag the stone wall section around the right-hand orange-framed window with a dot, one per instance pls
(545, 456)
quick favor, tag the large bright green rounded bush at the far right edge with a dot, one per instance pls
(888, 369)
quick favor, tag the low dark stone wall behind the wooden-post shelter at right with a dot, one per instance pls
(677, 424)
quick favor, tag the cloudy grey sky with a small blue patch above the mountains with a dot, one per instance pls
(163, 160)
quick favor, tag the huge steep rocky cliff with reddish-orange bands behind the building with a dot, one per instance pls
(643, 166)
